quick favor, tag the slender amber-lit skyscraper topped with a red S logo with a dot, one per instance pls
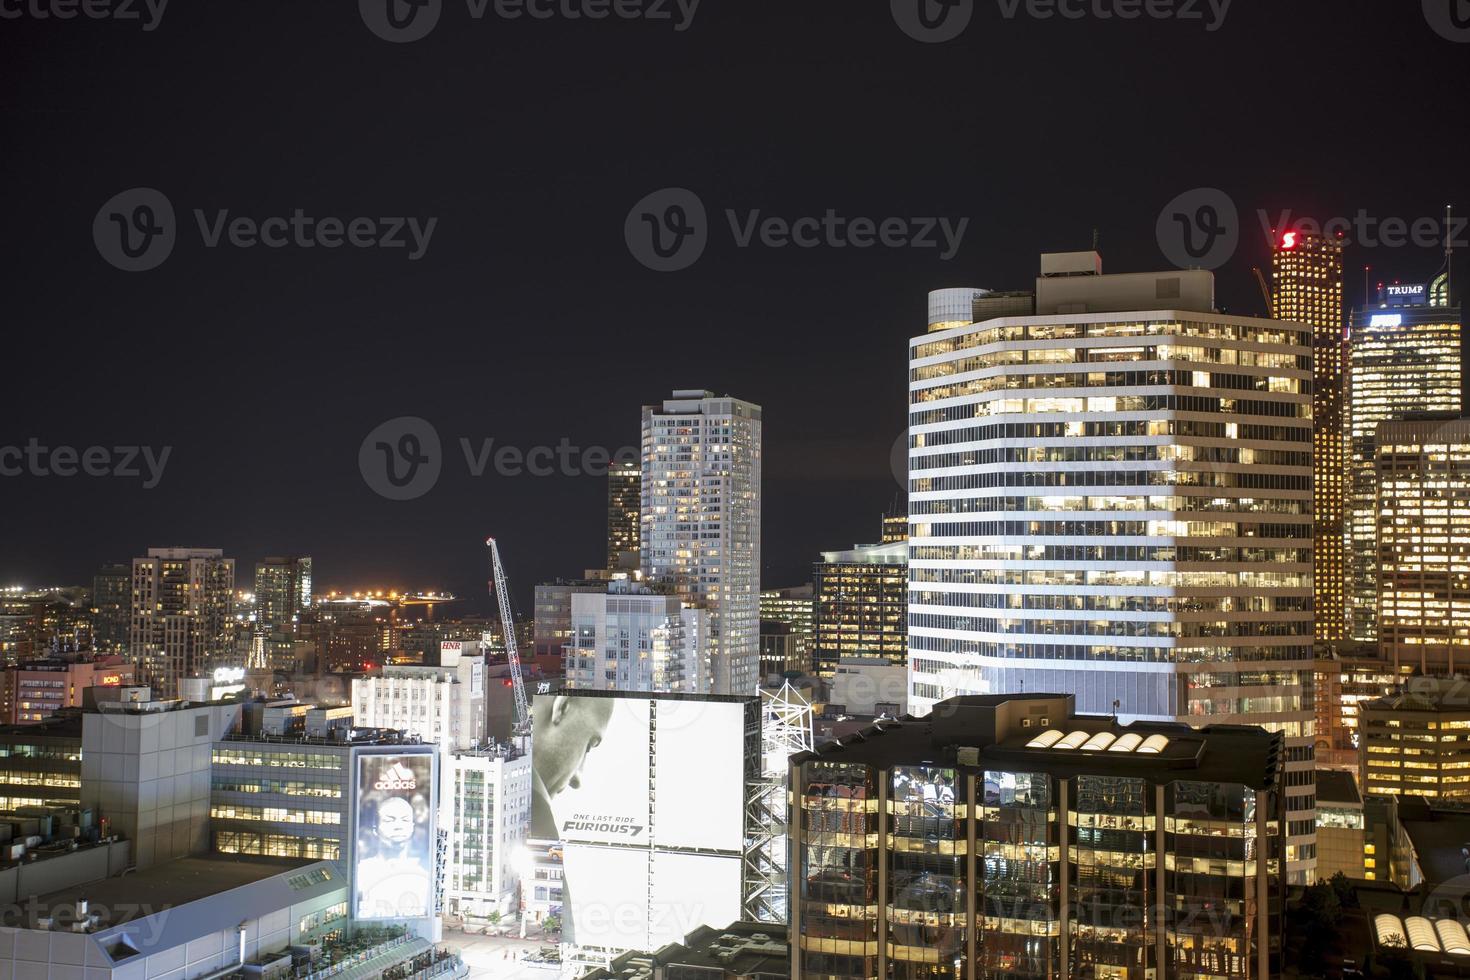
(1308, 278)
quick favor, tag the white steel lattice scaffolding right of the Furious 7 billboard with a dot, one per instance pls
(786, 729)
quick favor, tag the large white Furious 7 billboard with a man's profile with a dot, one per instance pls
(648, 797)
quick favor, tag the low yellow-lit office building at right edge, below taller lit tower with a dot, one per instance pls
(1416, 743)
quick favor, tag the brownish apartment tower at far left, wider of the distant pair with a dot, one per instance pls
(183, 606)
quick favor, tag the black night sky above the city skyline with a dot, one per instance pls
(528, 321)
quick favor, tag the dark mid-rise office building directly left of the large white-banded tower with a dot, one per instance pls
(862, 603)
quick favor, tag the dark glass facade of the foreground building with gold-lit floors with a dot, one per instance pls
(1090, 876)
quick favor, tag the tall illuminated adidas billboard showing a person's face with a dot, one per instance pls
(393, 860)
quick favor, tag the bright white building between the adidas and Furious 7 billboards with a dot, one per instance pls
(492, 815)
